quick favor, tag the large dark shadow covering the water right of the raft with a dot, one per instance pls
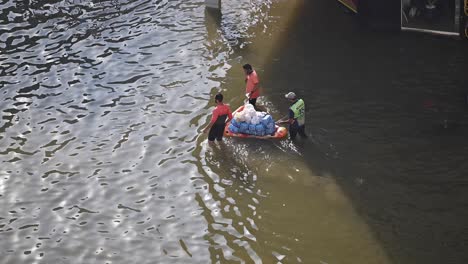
(367, 94)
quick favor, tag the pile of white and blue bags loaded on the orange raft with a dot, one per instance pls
(251, 122)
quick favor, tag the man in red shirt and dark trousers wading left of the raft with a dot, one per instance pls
(218, 120)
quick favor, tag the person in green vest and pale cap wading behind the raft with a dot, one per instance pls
(296, 115)
